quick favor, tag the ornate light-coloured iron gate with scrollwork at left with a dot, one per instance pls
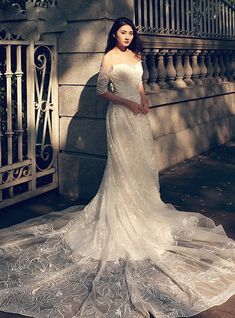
(28, 120)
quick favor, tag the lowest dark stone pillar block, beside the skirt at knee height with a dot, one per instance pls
(80, 176)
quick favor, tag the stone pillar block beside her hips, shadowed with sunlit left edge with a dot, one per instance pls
(83, 135)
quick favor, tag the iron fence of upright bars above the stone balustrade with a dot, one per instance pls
(187, 18)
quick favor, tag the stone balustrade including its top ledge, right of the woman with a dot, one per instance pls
(169, 63)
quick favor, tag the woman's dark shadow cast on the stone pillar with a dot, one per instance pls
(86, 139)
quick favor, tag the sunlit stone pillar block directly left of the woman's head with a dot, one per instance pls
(83, 36)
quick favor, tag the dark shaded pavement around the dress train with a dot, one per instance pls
(204, 183)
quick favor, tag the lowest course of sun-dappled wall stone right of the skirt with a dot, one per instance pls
(173, 148)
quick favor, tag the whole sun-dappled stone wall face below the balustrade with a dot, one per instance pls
(184, 129)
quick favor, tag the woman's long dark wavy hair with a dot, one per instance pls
(135, 45)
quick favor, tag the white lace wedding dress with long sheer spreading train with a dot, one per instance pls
(126, 254)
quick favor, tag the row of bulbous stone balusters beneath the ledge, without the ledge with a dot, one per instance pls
(178, 68)
